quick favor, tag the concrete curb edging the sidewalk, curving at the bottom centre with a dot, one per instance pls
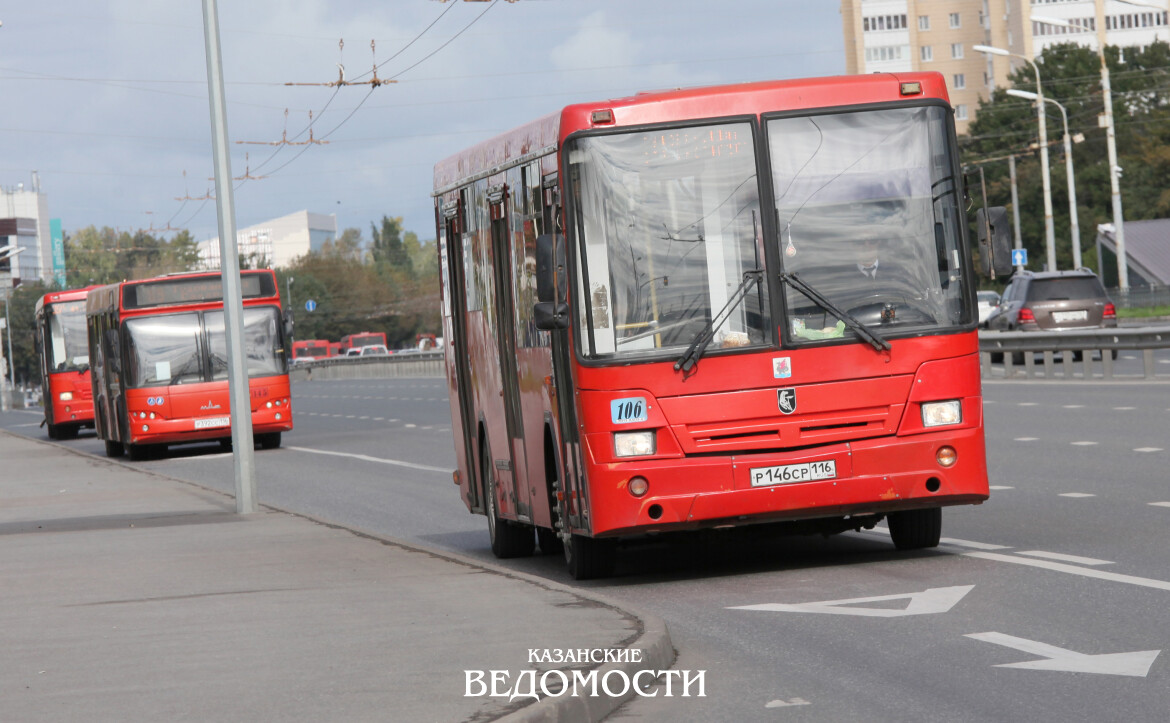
(652, 637)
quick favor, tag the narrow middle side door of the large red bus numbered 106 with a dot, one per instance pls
(510, 478)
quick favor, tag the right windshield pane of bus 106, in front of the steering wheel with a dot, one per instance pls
(869, 216)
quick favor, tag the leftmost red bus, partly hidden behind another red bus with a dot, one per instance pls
(60, 333)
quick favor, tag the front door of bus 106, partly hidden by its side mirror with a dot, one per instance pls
(562, 374)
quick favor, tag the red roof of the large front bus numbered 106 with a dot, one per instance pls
(543, 136)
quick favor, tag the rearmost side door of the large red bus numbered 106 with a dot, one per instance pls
(457, 301)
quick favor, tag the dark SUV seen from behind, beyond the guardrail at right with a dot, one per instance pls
(1045, 301)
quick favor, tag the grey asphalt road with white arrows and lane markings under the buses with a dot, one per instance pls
(1049, 603)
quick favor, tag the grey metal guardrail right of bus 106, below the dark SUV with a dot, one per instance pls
(1084, 355)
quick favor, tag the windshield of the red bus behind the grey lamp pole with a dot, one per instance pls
(169, 350)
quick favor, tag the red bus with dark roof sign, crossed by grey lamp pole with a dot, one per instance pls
(159, 356)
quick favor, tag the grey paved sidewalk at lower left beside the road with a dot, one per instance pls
(127, 596)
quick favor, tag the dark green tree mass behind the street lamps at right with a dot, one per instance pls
(1071, 75)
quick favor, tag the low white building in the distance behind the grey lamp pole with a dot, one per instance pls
(277, 243)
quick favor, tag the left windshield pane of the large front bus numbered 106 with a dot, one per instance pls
(669, 229)
